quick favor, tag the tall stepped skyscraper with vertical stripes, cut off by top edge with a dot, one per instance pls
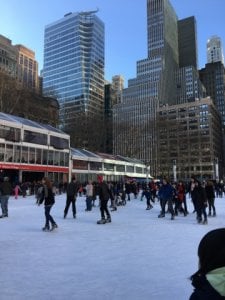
(134, 117)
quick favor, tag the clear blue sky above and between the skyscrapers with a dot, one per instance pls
(125, 26)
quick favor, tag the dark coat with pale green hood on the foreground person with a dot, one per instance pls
(204, 290)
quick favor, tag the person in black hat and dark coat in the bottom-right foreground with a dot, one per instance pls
(209, 280)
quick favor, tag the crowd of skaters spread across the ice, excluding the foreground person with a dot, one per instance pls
(171, 196)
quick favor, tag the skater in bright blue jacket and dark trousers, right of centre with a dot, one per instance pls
(166, 197)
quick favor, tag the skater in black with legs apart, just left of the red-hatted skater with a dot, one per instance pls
(71, 194)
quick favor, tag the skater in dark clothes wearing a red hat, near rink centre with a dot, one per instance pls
(105, 194)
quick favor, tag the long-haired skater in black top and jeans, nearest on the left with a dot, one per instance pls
(48, 198)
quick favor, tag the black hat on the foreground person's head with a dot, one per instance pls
(211, 251)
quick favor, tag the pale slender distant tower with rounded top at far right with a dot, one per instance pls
(214, 50)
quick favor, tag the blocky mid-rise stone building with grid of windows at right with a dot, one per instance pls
(189, 140)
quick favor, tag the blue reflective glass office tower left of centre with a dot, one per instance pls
(74, 70)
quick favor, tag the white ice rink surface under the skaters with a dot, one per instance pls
(136, 257)
